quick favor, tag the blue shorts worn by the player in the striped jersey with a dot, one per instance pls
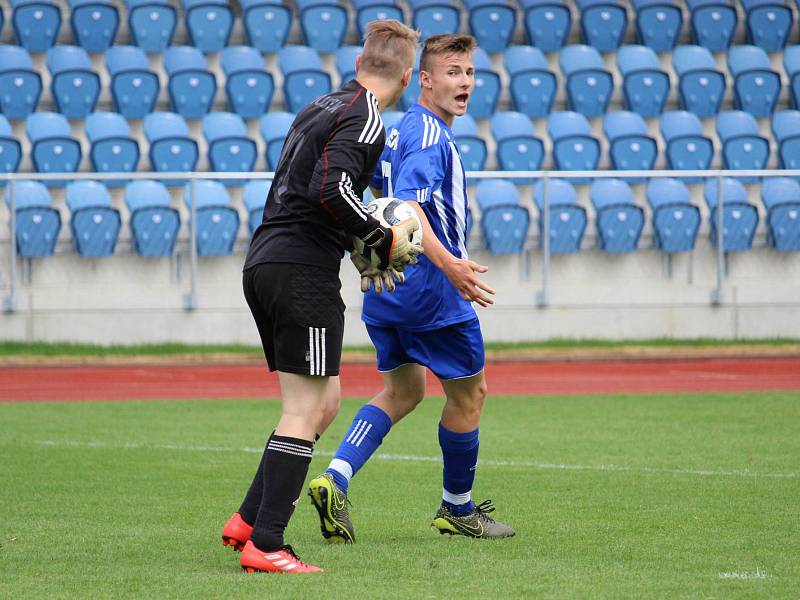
(452, 352)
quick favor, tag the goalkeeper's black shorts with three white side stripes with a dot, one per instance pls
(299, 313)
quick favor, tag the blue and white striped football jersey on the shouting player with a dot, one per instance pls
(420, 162)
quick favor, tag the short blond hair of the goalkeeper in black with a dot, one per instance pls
(389, 48)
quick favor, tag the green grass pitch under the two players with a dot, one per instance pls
(649, 496)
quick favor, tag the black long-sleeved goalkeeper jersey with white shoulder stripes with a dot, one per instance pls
(327, 161)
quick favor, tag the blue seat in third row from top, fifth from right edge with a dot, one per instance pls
(574, 148)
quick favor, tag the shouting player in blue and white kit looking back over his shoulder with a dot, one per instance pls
(429, 322)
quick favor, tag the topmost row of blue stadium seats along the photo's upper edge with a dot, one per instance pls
(325, 23)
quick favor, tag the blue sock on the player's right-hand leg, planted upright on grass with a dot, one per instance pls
(460, 459)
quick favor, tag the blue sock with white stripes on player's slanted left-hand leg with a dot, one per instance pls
(366, 433)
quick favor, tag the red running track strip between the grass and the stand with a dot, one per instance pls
(49, 383)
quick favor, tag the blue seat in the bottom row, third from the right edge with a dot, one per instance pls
(676, 220)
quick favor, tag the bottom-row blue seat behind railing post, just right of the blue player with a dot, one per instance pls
(567, 217)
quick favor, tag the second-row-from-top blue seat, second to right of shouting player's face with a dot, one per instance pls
(533, 85)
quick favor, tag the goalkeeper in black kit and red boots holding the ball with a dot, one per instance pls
(291, 279)
